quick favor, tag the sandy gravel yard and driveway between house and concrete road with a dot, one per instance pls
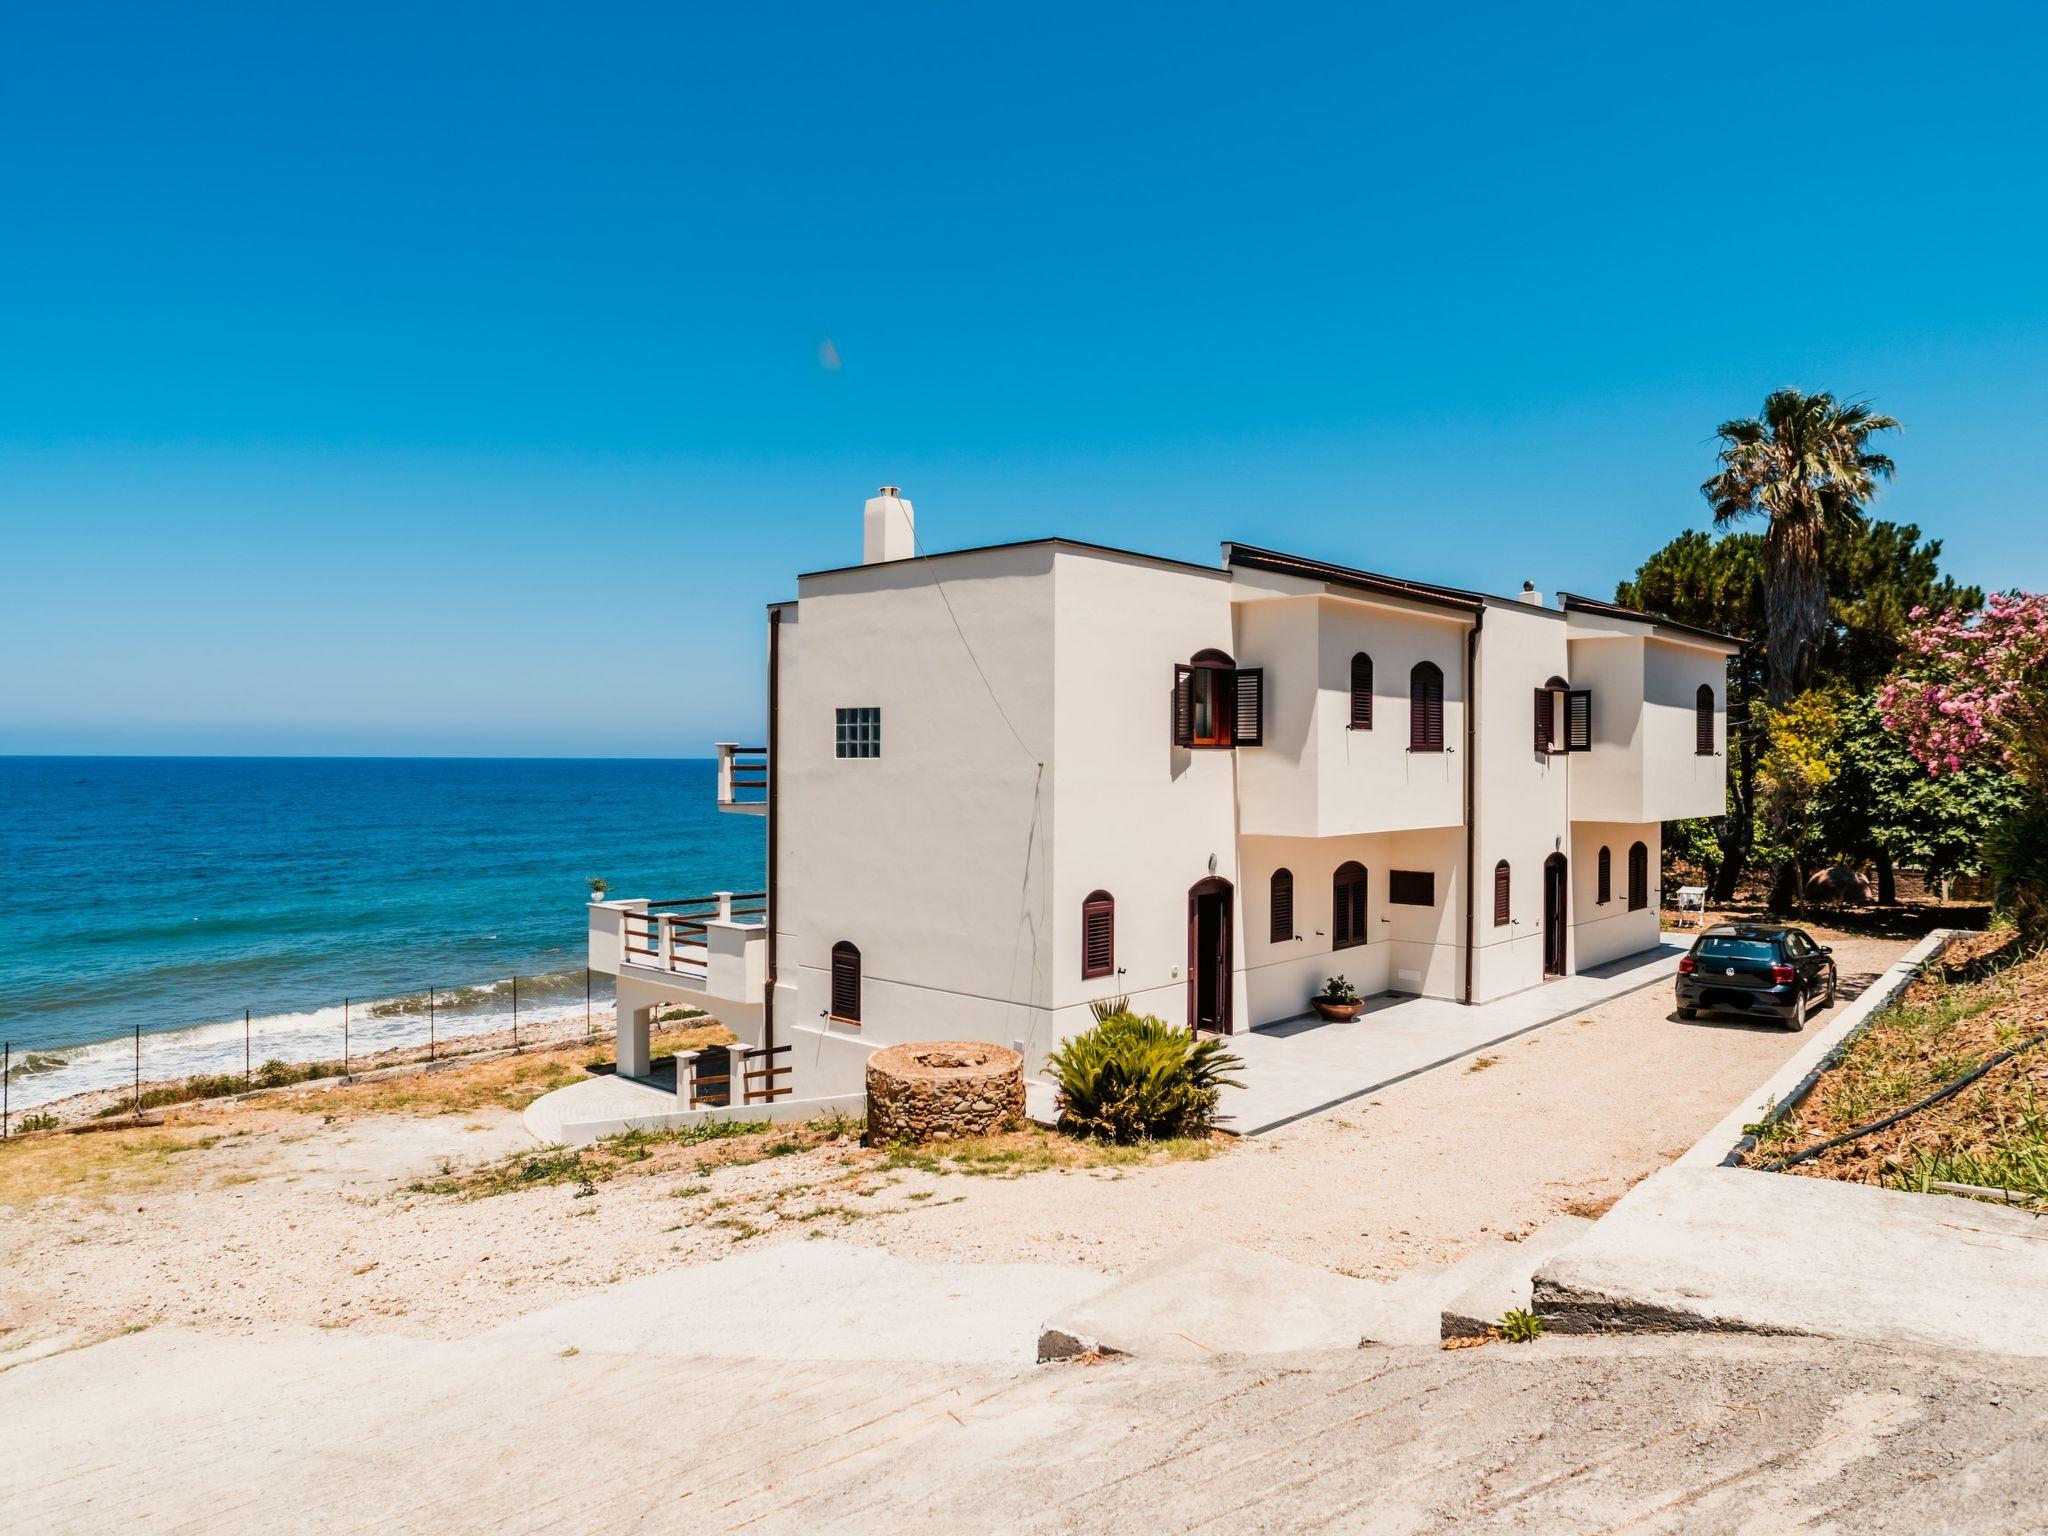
(331, 1207)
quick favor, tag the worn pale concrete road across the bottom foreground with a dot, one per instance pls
(189, 1433)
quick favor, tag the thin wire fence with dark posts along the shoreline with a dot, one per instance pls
(161, 1064)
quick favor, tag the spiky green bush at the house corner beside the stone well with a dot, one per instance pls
(1138, 1078)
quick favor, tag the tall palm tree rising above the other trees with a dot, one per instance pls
(1807, 468)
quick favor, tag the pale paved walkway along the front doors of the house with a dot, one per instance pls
(1304, 1066)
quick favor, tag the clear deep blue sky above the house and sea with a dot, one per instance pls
(450, 380)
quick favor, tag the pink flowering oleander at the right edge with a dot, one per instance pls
(1971, 683)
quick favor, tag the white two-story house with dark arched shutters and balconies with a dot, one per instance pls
(1007, 783)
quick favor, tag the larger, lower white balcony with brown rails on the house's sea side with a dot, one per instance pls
(710, 947)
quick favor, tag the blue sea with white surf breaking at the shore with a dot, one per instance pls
(173, 894)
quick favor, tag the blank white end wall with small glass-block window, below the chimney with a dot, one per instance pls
(933, 859)
